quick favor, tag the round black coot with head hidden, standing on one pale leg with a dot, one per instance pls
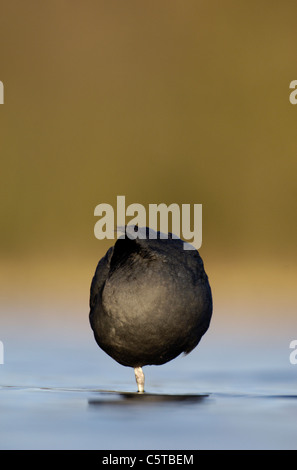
(150, 301)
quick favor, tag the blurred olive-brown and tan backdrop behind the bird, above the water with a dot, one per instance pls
(160, 101)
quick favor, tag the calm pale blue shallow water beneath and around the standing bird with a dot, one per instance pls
(59, 391)
